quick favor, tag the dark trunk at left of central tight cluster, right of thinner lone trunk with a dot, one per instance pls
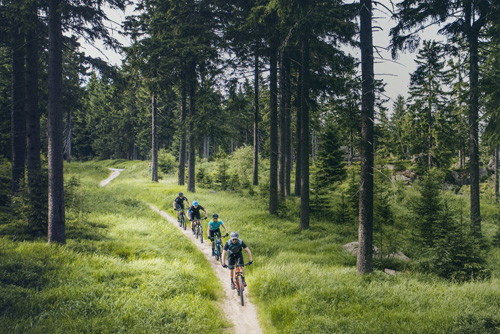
(273, 132)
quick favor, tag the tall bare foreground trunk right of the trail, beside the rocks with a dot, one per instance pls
(365, 231)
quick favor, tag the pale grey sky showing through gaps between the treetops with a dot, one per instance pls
(395, 73)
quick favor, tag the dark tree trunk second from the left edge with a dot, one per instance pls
(35, 212)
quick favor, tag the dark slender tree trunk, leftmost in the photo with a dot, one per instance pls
(18, 109)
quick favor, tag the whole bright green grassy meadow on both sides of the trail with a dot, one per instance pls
(126, 270)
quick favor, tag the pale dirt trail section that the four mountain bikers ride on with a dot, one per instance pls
(244, 318)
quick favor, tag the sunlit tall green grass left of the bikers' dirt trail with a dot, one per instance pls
(123, 270)
